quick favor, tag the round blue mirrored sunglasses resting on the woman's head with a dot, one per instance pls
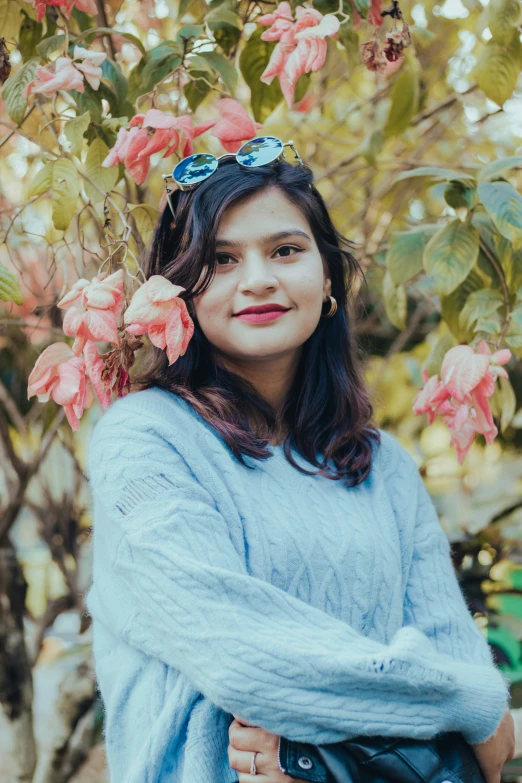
(195, 169)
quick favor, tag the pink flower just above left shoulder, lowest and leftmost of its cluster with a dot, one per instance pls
(60, 375)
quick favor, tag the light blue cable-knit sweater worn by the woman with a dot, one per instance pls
(314, 610)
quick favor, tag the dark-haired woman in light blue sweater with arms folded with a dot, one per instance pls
(261, 550)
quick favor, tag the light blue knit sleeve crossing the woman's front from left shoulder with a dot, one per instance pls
(177, 589)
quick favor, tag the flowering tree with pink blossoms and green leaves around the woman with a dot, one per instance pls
(398, 111)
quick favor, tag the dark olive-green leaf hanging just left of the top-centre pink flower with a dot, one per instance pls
(252, 62)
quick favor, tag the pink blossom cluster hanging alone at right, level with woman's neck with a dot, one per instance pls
(461, 396)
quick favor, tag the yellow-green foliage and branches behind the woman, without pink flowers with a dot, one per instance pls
(452, 106)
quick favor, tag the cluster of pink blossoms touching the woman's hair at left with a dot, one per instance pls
(73, 376)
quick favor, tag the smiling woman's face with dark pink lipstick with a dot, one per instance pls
(265, 254)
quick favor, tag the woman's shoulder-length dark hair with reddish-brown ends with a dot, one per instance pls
(328, 413)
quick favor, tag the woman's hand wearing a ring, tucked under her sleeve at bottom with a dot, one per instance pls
(244, 740)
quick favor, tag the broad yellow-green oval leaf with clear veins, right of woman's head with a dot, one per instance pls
(451, 254)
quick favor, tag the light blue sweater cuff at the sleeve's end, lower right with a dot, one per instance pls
(480, 700)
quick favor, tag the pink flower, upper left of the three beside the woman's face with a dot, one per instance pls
(93, 308)
